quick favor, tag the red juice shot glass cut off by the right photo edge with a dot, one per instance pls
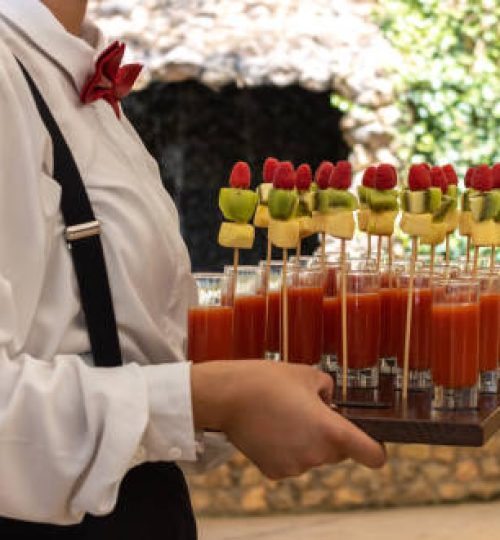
(489, 331)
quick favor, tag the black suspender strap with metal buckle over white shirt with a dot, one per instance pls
(82, 235)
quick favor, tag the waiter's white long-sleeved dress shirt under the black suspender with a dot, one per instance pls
(69, 431)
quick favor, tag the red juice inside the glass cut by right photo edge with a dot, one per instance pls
(489, 340)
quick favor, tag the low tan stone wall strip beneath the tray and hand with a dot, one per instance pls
(414, 474)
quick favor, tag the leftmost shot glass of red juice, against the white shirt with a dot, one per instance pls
(210, 323)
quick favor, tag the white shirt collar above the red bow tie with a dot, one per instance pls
(75, 55)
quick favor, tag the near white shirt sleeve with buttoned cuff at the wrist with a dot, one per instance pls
(68, 431)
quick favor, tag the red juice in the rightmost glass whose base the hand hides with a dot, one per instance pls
(305, 324)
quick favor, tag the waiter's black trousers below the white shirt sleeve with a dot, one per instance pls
(153, 504)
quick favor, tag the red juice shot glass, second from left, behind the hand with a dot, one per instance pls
(248, 299)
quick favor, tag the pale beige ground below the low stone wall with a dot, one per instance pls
(479, 521)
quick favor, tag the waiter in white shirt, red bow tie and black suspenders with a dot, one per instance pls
(96, 400)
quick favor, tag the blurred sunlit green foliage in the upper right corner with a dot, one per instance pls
(448, 83)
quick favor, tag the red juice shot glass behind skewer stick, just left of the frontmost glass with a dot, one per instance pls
(420, 375)
